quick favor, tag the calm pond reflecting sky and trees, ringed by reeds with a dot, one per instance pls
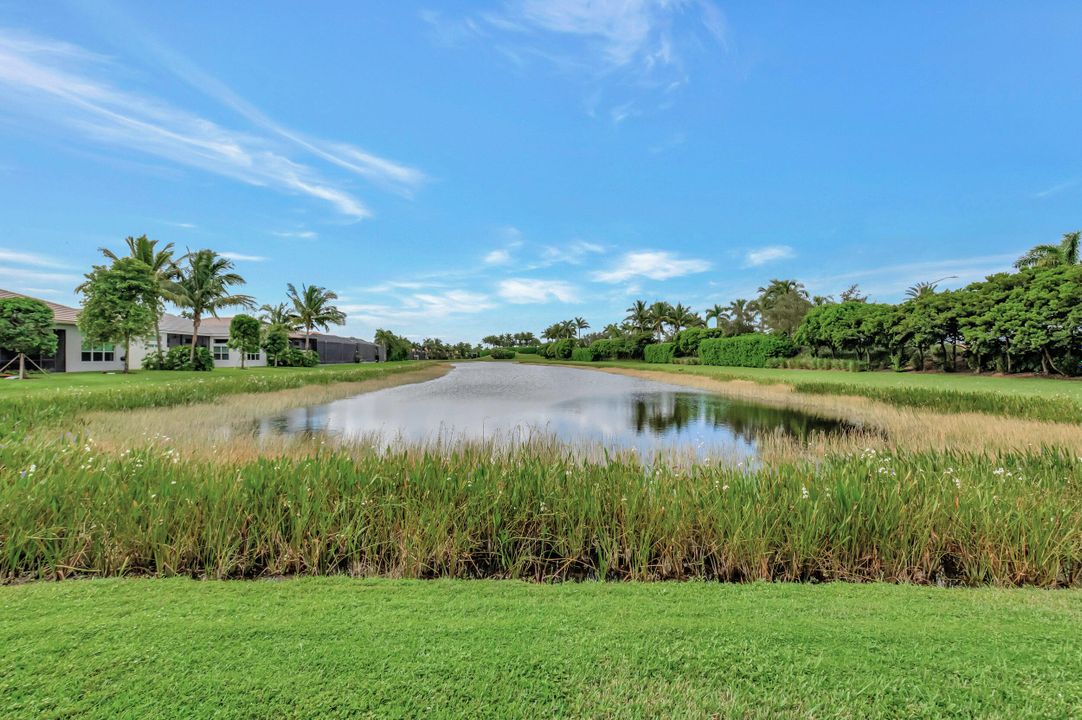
(507, 402)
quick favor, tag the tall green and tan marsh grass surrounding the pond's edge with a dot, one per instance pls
(946, 510)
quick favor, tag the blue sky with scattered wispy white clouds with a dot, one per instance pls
(459, 169)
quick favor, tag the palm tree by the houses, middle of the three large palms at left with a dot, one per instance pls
(203, 286)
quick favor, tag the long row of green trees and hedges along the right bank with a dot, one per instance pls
(1031, 320)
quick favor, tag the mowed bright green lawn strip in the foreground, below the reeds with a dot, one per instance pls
(338, 648)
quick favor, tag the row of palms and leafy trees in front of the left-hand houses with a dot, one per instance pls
(126, 298)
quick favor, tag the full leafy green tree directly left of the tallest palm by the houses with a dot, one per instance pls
(121, 303)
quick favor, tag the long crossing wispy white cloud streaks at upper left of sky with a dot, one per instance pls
(56, 83)
